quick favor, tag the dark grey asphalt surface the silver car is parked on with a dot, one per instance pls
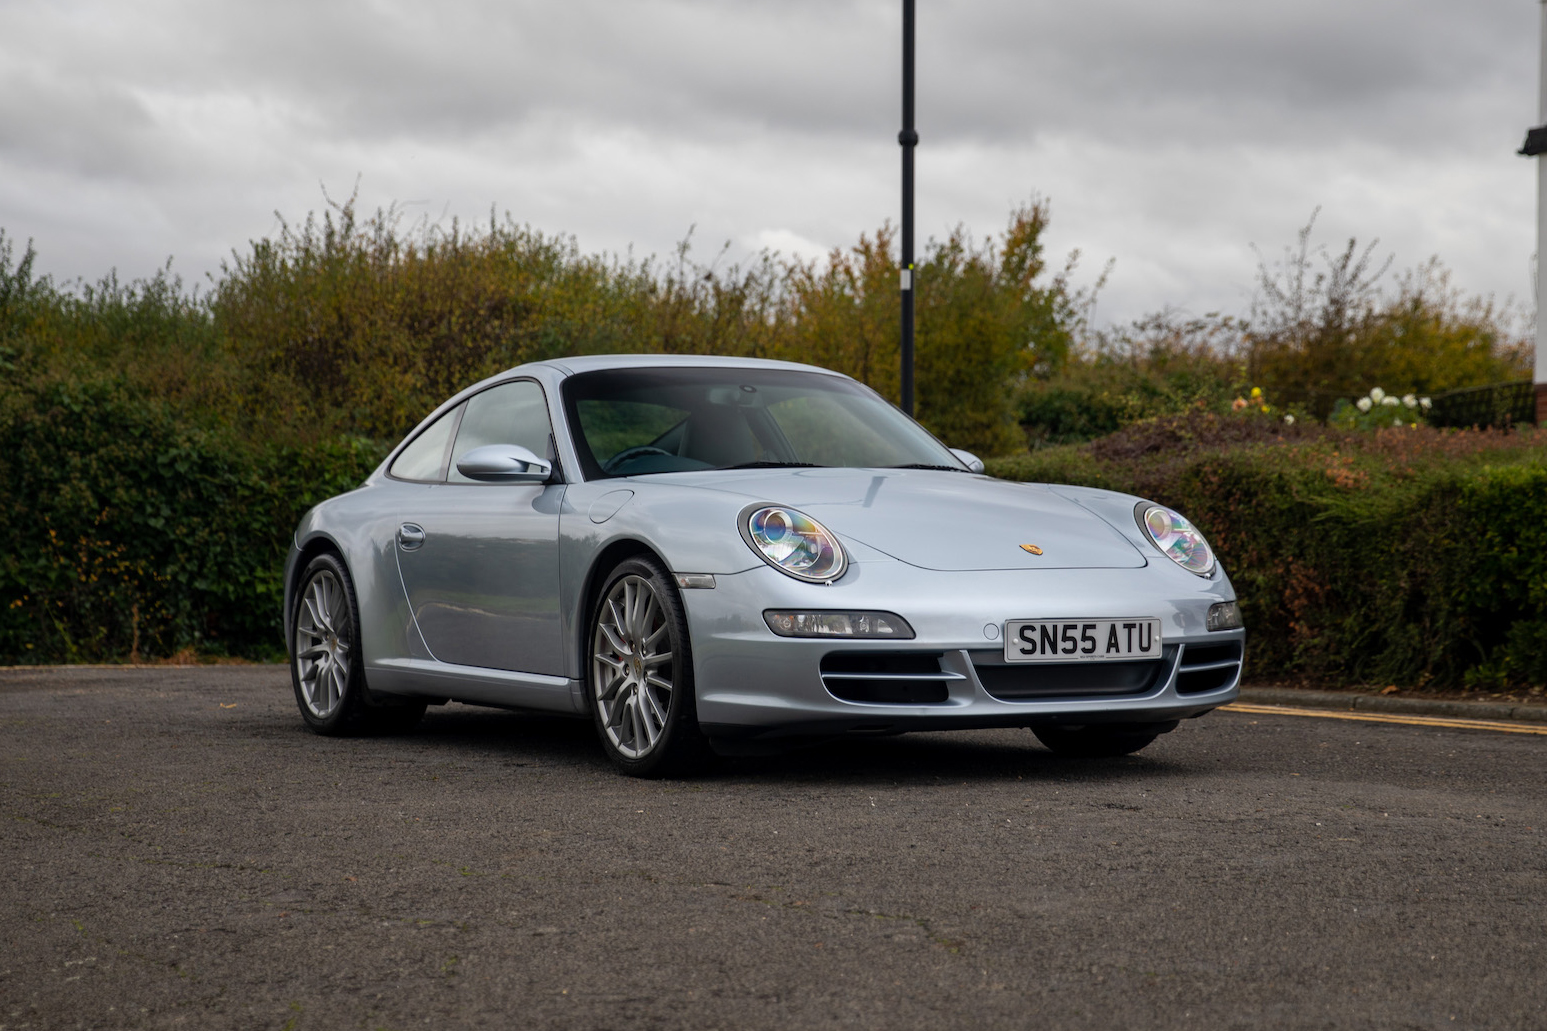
(180, 852)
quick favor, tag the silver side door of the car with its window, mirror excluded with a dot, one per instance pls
(480, 561)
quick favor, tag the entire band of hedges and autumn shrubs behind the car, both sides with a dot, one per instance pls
(159, 444)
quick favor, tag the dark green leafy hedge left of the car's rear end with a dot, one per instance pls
(128, 533)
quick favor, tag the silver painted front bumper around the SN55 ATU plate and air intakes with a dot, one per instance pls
(754, 687)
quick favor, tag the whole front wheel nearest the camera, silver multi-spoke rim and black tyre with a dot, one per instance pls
(641, 694)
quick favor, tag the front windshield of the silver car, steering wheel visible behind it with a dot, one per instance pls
(633, 422)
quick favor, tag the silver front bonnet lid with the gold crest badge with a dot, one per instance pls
(937, 521)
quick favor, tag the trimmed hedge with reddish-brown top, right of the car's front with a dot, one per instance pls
(1413, 558)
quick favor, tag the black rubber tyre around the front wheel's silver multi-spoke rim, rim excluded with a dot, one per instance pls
(681, 742)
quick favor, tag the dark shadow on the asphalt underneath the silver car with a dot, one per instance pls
(917, 759)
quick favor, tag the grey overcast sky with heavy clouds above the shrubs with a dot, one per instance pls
(1169, 137)
